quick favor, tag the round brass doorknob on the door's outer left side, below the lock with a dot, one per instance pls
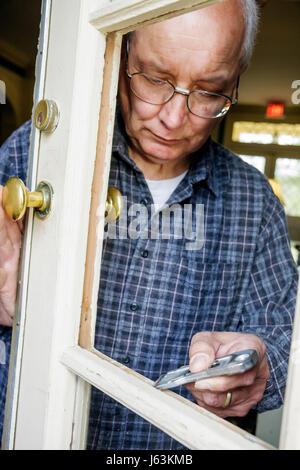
(16, 199)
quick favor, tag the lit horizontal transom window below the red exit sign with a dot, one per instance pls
(266, 133)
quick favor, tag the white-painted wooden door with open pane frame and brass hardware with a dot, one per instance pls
(53, 360)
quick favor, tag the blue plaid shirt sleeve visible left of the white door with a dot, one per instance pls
(14, 154)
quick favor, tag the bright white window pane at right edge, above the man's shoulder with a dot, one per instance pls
(287, 173)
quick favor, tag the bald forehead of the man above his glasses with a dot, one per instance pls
(196, 40)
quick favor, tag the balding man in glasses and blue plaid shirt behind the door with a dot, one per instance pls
(162, 305)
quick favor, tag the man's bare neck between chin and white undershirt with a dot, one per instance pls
(156, 170)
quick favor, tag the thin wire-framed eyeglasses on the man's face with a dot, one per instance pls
(201, 103)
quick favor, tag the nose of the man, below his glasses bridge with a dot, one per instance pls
(174, 112)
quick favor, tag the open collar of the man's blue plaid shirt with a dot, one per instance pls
(206, 165)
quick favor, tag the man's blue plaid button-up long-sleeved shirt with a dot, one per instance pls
(155, 294)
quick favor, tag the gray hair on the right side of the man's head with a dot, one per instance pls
(251, 18)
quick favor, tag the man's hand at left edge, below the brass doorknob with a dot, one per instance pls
(10, 240)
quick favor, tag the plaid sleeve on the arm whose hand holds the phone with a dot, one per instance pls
(271, 298)
